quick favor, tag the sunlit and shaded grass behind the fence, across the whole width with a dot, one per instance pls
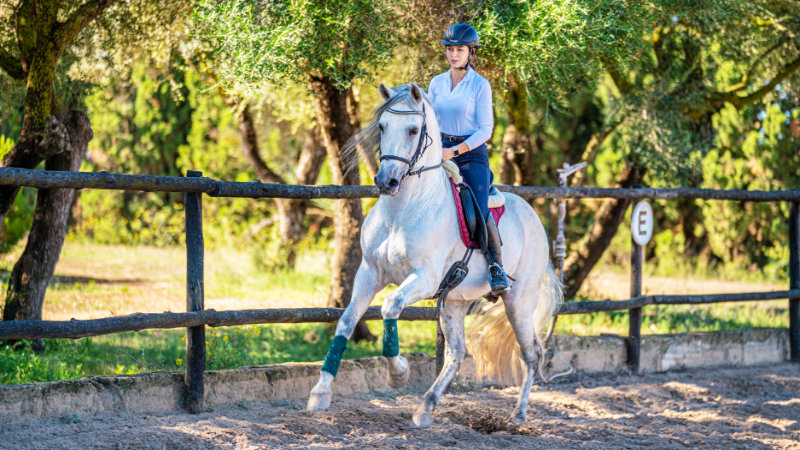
(99, 281)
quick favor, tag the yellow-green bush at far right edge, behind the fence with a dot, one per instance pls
(756, 155)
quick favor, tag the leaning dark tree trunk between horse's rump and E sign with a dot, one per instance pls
(606, 223)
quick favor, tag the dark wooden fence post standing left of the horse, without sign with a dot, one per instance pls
(195, 336)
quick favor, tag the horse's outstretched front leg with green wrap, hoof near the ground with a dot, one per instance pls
(365, 286)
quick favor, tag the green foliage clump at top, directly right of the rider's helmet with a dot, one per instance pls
(555, 45)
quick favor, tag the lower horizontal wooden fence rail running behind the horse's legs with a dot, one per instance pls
(34, 329)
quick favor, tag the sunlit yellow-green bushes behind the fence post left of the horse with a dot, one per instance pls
(164, 122)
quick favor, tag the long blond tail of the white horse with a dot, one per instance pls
(491, 340)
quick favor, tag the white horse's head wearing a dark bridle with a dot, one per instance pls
(408, 127)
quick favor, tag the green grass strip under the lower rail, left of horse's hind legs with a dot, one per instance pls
(164, 350)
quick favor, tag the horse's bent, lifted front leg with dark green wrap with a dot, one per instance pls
(414, 288)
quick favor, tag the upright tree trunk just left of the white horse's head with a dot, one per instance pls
(336, 128)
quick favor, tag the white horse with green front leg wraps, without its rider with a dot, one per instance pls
(410, 238)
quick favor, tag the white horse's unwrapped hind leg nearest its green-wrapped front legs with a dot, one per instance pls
(452, 322)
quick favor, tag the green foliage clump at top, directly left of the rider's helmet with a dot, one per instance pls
(256, 41)
